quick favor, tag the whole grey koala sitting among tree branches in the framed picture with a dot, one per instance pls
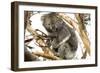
(63, 39)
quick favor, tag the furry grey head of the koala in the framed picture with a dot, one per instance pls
(49, 21)
